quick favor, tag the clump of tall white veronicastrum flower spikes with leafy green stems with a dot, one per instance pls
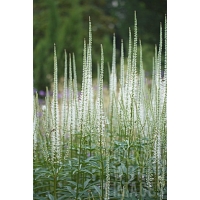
(84, 151)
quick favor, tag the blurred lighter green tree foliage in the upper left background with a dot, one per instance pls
(64, 23)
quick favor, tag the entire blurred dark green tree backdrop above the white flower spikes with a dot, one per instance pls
(65, 23)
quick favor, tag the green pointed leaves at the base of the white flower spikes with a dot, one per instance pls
(124, 172)
